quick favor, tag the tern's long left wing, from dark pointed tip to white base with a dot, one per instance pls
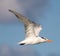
(27, 23)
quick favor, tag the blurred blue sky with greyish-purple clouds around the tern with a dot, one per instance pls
(44, 12)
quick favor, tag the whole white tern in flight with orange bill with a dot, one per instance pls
(32, 30)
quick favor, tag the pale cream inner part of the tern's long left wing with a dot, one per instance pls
(29, 30)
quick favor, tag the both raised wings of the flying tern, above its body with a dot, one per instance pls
(31, 28)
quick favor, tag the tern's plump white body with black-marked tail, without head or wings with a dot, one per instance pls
(31, 40)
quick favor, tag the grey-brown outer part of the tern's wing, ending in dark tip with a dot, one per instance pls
(21, 17)
